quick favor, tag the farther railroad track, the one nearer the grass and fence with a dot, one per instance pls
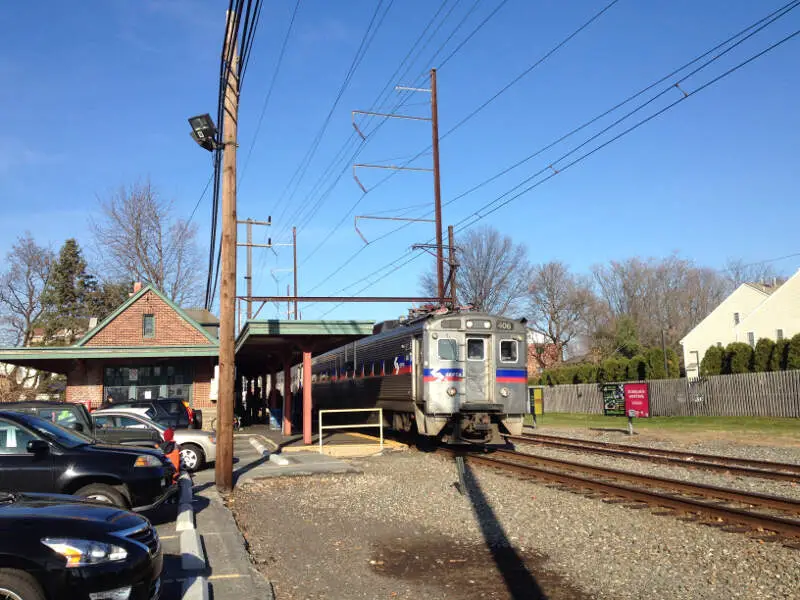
(739, 466)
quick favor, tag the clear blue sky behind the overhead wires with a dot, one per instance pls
(97, 97)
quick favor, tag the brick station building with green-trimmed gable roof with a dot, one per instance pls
(147, 348)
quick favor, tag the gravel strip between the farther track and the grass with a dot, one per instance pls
(679, 441)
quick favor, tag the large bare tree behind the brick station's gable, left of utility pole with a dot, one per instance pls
(139, 239)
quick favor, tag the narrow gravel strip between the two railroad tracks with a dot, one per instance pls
(788, 489)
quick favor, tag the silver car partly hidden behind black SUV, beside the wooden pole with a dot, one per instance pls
(197, 447)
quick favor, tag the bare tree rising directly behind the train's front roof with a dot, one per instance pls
(492, 272)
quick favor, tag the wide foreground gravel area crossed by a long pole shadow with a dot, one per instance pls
(401, 530)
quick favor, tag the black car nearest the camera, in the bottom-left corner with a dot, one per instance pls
(54, 547)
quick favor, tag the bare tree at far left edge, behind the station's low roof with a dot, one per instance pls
(27, 270)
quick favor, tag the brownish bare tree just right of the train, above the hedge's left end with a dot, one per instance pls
(557, 303)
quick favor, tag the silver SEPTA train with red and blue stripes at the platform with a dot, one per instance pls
(458, 377)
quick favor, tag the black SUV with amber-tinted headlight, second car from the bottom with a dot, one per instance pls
(38, 456)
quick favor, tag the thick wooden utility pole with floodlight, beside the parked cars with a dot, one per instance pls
(227, 292)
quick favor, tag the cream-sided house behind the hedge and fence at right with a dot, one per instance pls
(751, 312)
